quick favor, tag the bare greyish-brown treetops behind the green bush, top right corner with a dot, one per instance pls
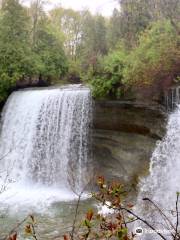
(136, 15)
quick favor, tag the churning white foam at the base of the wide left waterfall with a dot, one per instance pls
(40, 197)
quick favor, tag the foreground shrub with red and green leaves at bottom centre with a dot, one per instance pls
(96, 226)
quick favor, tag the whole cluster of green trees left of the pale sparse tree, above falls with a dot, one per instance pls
(30, 46)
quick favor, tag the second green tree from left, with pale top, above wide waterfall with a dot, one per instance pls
(47, 45)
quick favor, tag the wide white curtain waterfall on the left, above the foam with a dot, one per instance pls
(45, 138)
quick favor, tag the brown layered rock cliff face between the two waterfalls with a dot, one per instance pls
(124, 136)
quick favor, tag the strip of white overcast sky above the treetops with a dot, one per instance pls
(104, 7)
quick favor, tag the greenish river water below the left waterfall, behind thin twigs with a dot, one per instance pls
(51, 223)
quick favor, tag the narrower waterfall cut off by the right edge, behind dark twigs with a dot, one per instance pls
(163, 182)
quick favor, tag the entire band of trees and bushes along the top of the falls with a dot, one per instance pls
(138, 47)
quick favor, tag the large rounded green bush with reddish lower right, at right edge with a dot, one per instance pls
(156, 58)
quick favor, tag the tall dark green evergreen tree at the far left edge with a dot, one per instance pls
(15, 55)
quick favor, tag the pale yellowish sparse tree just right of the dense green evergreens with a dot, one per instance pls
(69, 23)
